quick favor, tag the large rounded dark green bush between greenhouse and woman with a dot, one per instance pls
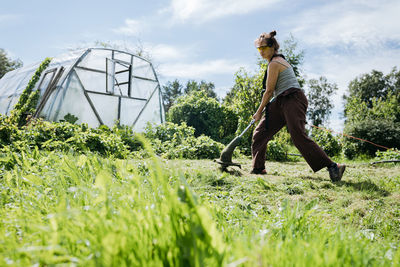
(206, 115)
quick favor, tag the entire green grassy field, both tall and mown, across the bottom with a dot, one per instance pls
(85, 210)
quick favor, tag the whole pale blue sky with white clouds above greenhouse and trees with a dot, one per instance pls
(211, 40)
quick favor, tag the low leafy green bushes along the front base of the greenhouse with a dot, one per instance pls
(62, 136)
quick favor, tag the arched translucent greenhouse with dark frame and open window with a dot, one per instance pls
(99, 86)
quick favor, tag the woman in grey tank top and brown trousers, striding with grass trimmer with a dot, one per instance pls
(288, 108)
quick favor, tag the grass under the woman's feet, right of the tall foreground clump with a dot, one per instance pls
(353, 222)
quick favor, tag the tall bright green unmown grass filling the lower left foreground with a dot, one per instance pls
(85, 210)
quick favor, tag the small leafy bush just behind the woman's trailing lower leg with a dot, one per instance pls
(329, 143)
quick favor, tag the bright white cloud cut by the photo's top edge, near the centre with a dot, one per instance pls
(198, 11)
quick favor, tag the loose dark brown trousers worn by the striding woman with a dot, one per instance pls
(288, 109)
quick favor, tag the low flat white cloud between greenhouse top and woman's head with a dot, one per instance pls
(200, 70)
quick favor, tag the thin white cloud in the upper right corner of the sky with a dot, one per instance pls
(349, 24)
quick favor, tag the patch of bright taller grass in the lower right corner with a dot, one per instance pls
(298, 237)
